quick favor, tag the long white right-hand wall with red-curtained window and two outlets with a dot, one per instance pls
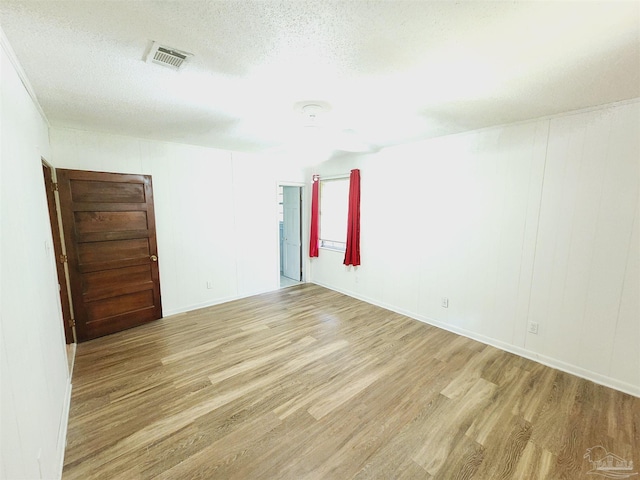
(530, 222)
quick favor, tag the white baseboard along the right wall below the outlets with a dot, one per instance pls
(522, 352)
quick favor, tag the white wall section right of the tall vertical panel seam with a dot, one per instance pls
(585, 281)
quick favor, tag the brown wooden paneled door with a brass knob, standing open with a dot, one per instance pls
(109, 230)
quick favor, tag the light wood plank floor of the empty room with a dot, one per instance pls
(305, 383)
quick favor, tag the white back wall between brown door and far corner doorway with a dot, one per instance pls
(216, 212)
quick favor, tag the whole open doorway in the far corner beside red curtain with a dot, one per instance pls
(290, 228)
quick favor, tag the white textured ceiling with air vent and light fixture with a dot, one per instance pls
(391, 71)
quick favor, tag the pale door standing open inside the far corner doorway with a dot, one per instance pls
(292, 247)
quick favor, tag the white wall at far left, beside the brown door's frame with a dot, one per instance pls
(34, 377)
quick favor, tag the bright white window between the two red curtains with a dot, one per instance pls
(334, 208)
